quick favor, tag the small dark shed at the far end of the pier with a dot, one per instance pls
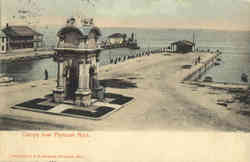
(182, 46)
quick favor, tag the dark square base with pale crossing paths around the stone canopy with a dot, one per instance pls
(96, 111)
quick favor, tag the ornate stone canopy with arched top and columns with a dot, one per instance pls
(77, 55)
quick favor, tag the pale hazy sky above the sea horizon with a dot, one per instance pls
(194, 14)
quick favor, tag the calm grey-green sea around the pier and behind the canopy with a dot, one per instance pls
(234, 45)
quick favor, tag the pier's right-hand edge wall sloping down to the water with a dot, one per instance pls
(200, 69)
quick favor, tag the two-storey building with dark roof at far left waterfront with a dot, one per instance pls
(20, 37)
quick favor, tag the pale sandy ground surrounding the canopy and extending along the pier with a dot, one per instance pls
(161, 102)
